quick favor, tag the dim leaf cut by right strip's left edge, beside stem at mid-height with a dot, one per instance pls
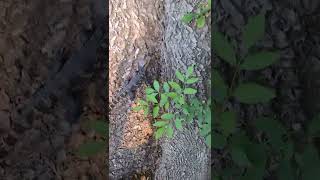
(220, 89)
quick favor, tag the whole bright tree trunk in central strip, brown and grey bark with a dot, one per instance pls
(135, 28)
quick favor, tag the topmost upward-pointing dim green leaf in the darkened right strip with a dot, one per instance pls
(254, 30)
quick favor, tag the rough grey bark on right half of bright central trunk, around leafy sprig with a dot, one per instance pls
(186, 155)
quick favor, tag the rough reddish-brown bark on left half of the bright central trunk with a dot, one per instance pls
(135, 29)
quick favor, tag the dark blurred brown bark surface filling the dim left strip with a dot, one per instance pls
(37, 39)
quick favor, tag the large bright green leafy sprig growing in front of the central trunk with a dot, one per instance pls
(173, 104)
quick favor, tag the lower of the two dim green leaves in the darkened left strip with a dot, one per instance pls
(91, 148)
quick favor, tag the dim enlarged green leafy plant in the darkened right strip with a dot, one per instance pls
(252, 150)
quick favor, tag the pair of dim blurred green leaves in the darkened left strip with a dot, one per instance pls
(93, 147)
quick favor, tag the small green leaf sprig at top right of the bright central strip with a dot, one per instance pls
(199, 16)
